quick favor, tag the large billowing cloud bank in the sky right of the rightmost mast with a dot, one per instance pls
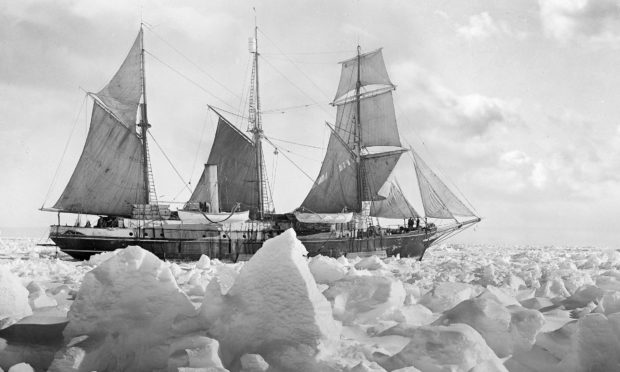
(489, 143)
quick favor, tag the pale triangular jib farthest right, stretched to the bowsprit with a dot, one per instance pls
(437, 199)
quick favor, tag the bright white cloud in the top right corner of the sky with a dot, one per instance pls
(569, 20)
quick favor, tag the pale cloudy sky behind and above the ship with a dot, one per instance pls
(514, 103)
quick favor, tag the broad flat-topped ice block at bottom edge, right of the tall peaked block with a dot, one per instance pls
(457, 347)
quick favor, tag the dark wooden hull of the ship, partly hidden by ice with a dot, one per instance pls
(81, 243)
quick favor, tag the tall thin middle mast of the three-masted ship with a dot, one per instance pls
(257, 131)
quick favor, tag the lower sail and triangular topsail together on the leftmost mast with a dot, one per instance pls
(109, 176)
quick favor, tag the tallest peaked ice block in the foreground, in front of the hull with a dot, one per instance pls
(274, 309)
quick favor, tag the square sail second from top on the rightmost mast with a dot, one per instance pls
(378, 121)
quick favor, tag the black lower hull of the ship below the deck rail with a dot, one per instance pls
(406, 244)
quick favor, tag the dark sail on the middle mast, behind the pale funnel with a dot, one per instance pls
(235, 156)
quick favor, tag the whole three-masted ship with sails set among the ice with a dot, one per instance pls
(230, 212)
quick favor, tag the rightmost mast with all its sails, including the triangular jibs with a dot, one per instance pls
(364, 148)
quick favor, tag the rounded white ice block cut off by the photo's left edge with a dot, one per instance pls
(13, 298)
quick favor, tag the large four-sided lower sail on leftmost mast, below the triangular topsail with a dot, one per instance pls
(108, 177)
